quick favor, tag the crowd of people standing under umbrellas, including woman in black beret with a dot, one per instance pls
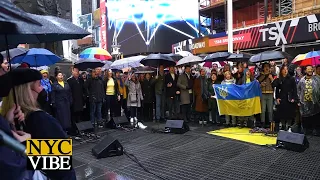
(49, 106)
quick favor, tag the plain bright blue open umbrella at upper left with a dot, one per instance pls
(37, 57)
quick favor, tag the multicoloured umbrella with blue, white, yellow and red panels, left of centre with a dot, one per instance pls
(95, 53)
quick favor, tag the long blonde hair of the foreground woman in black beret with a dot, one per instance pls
(24, 97)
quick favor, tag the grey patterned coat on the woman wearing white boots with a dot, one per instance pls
(135, 94)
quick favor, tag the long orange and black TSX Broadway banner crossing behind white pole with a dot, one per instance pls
(297, 30)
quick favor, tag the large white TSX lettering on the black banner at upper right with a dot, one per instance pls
(274, 33)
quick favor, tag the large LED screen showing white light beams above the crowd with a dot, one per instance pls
(141, 26)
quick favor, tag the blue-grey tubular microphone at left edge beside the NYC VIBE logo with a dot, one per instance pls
(12, 143)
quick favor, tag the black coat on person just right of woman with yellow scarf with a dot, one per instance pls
(77, 90)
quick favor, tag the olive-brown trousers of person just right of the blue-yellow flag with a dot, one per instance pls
(266, 106)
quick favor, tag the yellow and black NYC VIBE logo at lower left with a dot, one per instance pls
(49, 154)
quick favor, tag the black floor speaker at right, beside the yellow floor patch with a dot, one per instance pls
(292, 141)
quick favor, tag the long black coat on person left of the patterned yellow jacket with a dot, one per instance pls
(286, 89)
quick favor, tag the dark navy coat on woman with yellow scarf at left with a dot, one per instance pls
(61, 101)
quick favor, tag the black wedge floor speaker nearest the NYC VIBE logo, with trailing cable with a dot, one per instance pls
(107, 147)
